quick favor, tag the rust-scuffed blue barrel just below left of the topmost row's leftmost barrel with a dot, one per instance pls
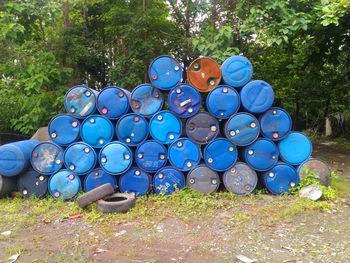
(146, 100)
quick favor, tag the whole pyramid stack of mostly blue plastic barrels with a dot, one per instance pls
(220, 126)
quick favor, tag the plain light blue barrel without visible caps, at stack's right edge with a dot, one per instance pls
(295, 148)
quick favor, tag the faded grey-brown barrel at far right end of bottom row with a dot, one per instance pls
(315, 168)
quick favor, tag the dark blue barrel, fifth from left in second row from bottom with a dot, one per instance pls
(151, 156)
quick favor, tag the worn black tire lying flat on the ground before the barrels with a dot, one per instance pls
(120, 202)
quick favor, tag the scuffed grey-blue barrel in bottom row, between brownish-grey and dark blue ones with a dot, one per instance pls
(240, 179)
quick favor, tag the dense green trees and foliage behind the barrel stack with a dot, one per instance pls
(301, 47)
